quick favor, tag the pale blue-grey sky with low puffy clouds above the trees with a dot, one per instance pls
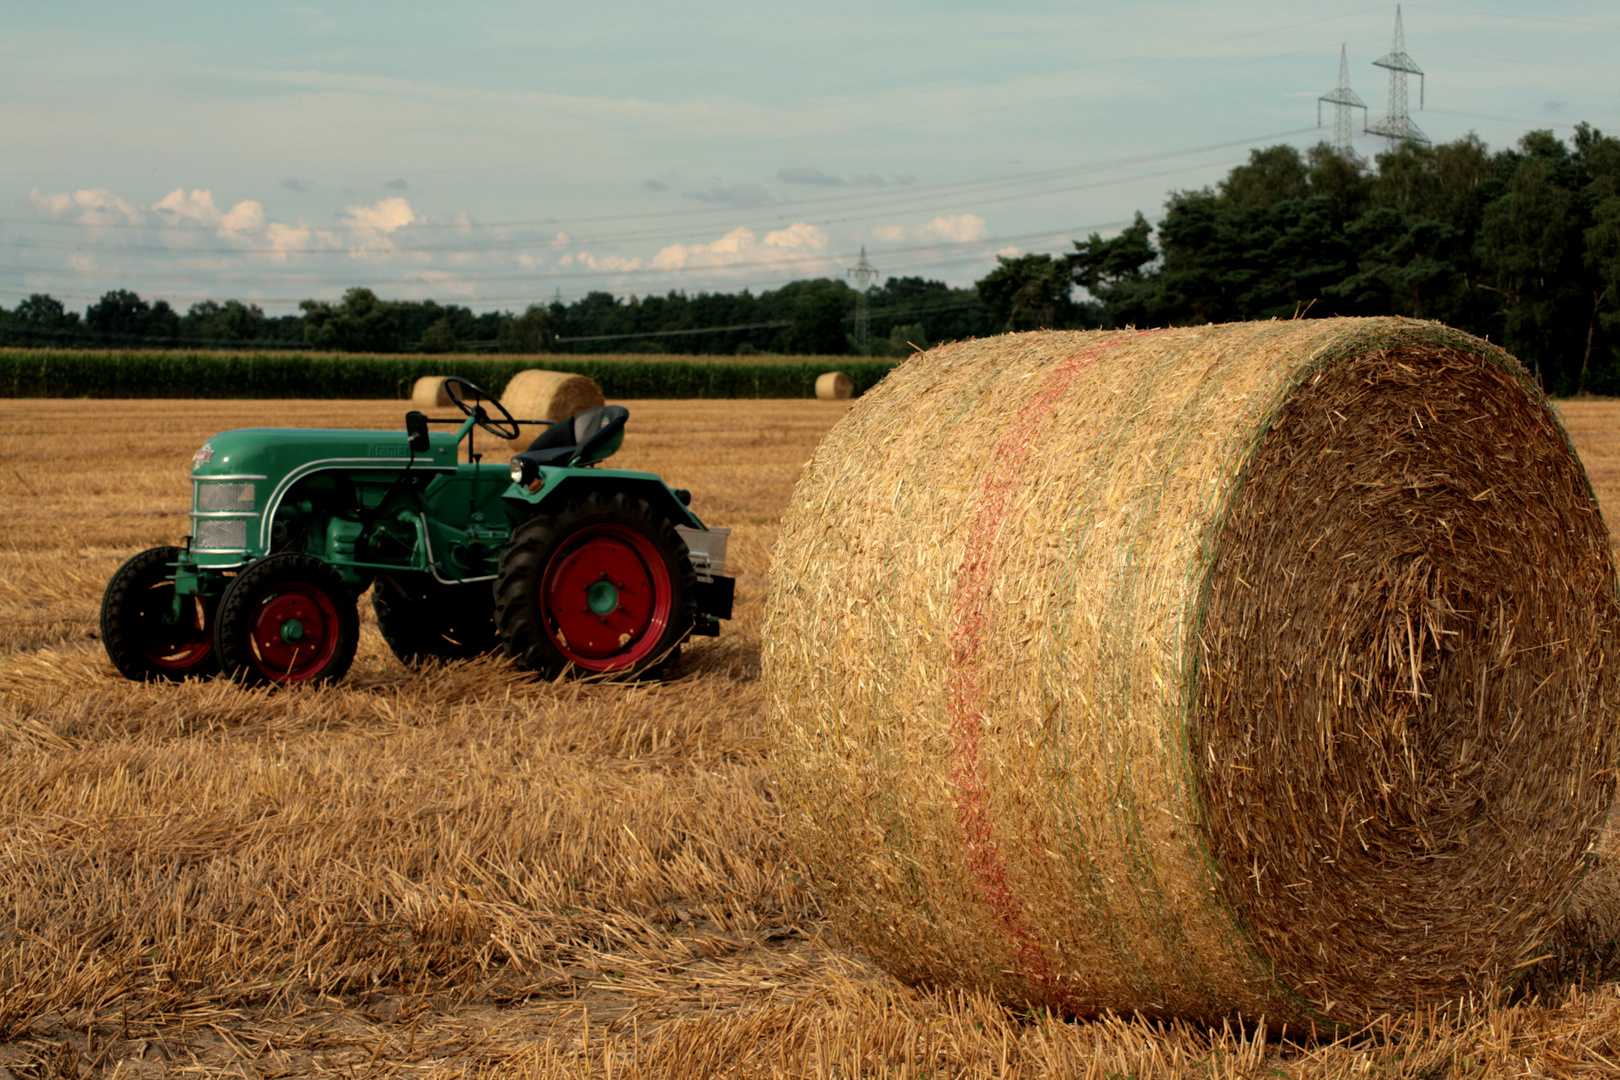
(497, 153)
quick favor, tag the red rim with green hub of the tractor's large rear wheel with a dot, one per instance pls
(608, 597)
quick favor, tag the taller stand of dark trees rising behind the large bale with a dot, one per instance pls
(1520, 247)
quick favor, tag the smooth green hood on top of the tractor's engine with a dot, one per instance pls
(275, 453)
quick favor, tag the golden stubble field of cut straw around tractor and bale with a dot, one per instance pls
(459, 872)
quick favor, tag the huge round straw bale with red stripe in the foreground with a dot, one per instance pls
(1256, 670)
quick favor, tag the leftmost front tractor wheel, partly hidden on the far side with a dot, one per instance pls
(140, 631)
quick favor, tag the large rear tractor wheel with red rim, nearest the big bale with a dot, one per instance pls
(571, 553)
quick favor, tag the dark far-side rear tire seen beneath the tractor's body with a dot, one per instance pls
(425, 619)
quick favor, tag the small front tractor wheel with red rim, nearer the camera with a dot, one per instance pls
(288, 619)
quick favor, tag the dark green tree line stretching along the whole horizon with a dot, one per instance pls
(1519, 245)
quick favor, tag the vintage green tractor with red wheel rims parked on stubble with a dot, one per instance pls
(569, 568)
